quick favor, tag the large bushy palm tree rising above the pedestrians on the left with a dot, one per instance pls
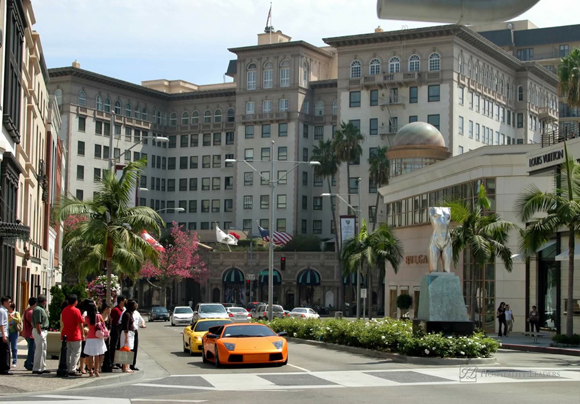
(110, 226)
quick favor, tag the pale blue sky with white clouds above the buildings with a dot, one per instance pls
(136, 40)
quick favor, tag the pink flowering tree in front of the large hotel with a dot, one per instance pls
(179, 261)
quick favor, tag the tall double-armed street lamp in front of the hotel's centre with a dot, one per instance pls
(273, 184)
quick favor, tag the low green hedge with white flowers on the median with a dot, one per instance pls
(387, 335)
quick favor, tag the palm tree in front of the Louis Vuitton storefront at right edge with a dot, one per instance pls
(562, 209)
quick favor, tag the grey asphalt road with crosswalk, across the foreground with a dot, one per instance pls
(317, 375)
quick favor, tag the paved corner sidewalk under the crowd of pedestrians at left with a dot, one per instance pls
(24, 381)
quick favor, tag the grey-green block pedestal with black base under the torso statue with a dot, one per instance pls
(441, 305)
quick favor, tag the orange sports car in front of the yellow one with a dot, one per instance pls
(236, 343)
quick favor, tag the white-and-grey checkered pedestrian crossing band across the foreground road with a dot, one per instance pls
(360, 378)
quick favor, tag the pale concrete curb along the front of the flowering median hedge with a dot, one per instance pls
(415, 360)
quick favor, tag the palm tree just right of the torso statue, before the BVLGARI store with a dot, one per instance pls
(482, 235)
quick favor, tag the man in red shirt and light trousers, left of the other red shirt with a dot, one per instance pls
(72, 328)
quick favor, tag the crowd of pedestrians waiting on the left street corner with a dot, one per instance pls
(92, 335)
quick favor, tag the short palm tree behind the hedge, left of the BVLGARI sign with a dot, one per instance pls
(374, 249)
